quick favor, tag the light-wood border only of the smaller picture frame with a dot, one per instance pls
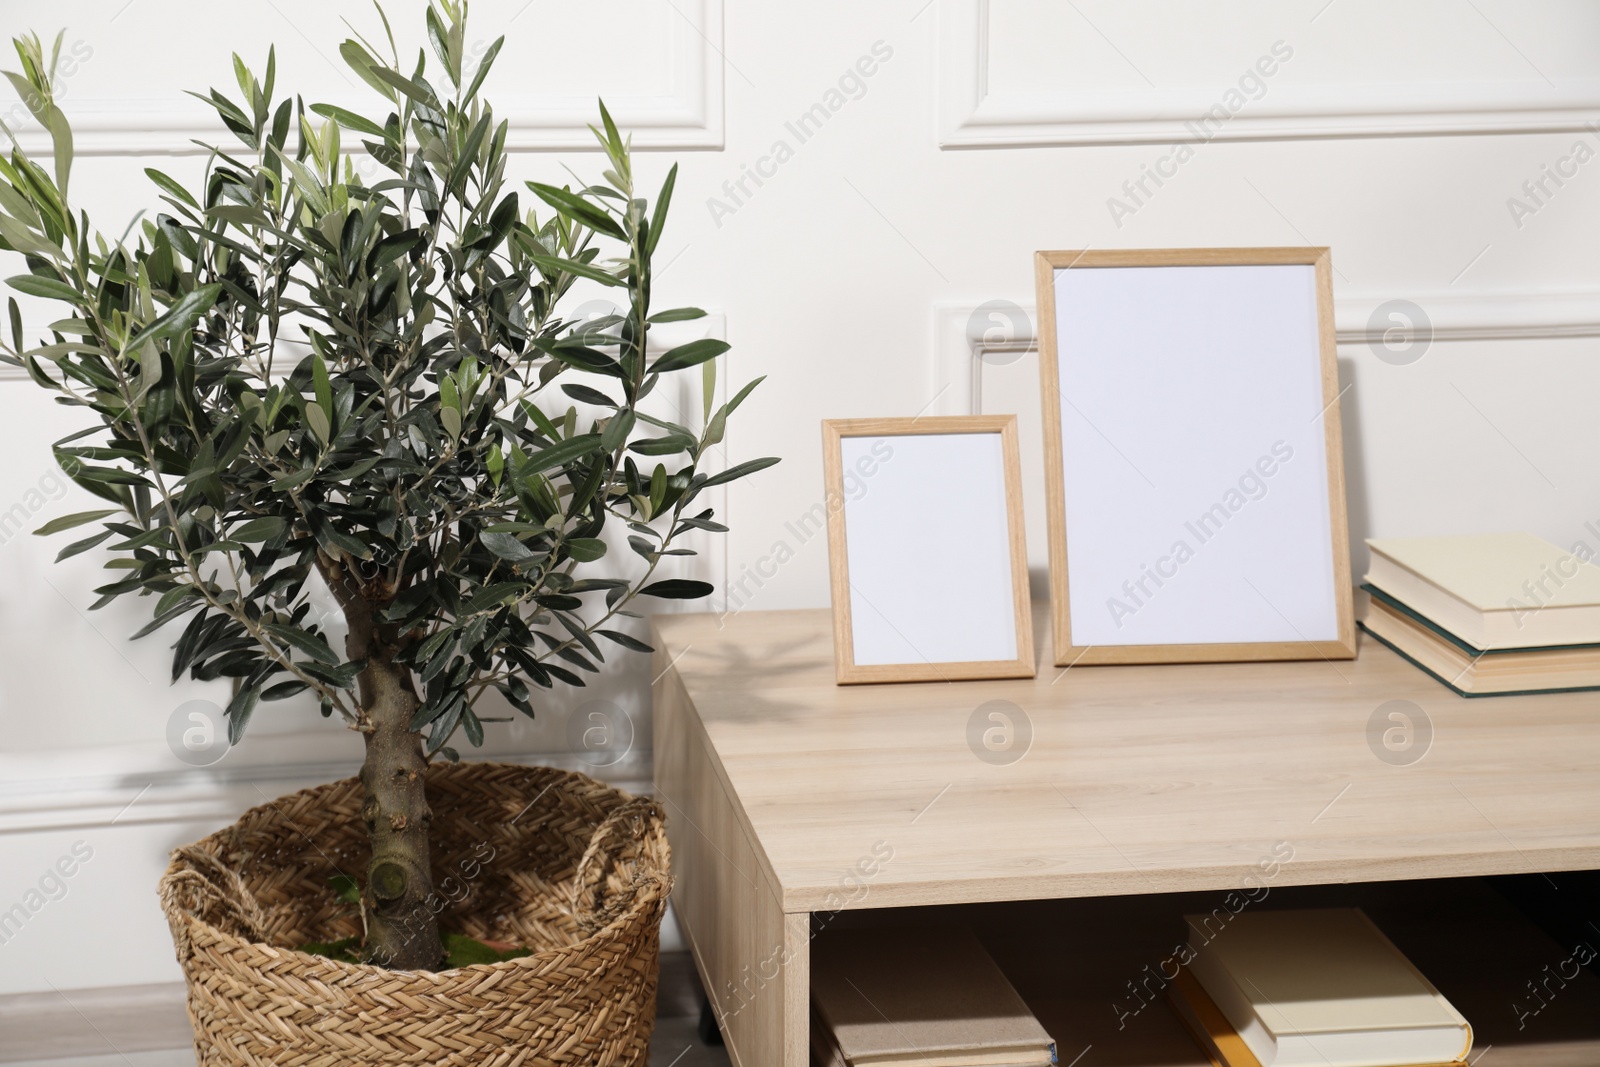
(847, 671)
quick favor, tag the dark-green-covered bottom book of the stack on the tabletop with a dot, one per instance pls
(1474, 671)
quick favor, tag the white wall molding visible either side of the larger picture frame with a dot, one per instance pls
(967, 334)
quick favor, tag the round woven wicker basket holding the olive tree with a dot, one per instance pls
(550, 860)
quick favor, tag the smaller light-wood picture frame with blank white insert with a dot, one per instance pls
(927, 551)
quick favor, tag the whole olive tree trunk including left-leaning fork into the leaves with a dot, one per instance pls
(402, 929)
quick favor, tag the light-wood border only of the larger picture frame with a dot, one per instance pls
(1046, 266)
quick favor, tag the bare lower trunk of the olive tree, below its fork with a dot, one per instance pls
(402, 929)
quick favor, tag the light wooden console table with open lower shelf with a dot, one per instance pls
(790, 796)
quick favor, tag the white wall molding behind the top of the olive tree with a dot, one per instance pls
(684, 114)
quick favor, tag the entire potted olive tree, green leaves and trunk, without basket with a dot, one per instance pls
(311, 383)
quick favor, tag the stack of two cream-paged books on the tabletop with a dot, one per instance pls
(1489, 613)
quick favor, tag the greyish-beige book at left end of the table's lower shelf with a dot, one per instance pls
(918, 999)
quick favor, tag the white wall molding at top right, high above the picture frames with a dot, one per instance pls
(975, 118)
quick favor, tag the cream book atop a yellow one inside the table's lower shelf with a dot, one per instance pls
(1313, 989)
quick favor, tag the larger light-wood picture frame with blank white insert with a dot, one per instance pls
(1190, 380)
